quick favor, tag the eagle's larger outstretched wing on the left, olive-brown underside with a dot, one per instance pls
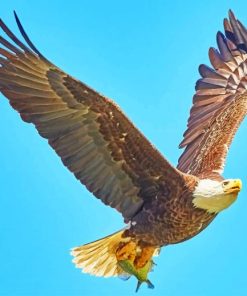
(94, 139)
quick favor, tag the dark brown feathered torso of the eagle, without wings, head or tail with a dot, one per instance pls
(175, 219)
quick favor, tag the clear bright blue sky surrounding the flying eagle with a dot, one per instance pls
(144, 55)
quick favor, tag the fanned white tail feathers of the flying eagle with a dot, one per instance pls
(98, 258)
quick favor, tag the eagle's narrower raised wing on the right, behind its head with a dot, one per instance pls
(219, 104)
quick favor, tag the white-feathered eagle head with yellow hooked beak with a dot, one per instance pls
(215, 196)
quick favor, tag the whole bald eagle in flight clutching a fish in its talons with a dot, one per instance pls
(161, 204)
